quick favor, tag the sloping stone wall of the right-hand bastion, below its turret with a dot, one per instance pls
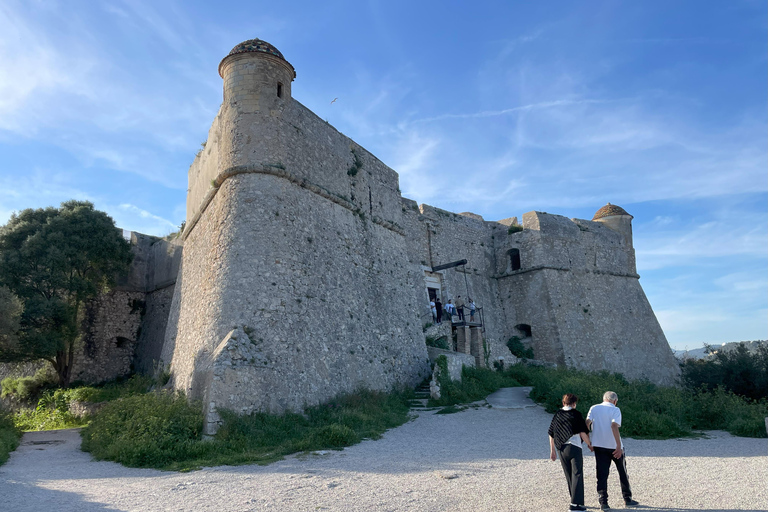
(578, 291)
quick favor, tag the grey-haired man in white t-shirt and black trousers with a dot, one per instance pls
(604, 421)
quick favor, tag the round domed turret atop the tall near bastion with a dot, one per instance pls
(257, 78)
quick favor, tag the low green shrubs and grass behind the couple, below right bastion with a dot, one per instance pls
(648, 411)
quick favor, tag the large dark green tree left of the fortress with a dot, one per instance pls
(53, 260)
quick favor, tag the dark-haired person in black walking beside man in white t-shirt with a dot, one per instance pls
(566, 432)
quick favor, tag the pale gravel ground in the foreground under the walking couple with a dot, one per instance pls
(484, 459)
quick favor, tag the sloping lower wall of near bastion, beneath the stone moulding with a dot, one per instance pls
(322, 295)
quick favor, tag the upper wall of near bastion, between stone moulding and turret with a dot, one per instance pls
(293, 142)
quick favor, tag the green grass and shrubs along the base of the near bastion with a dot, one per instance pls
(164, 431)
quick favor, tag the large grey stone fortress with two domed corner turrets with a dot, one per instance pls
(304, 273)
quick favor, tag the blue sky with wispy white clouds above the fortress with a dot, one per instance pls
(497, 108)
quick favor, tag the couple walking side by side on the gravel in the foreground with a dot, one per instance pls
(569, 429)
